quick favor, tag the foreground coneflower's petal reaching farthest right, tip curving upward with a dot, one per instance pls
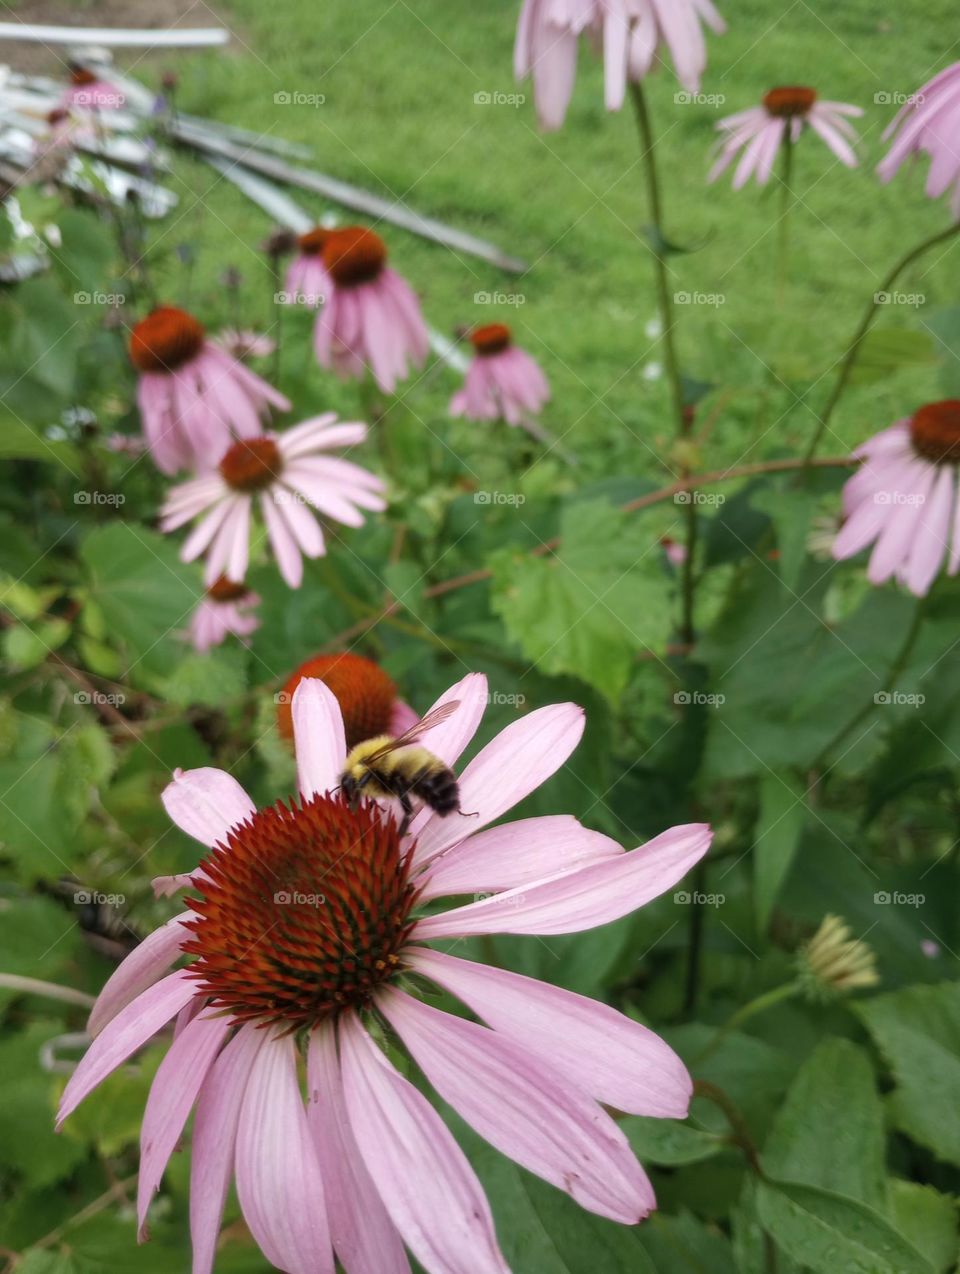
(594, 896)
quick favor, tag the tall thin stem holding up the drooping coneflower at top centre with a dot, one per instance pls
(672, 361)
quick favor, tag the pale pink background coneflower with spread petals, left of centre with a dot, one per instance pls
(292, 477)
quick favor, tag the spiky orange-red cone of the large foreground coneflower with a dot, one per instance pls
(305, 913)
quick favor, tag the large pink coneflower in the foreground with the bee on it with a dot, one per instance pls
(311, 937)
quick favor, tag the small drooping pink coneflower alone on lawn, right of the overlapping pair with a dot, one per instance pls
(504, 383)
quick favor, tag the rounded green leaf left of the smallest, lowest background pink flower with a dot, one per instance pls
(145, 593)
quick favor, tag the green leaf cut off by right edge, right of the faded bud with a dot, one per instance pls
(919, 1034)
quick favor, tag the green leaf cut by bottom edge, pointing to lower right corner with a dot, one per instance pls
(831, 1234)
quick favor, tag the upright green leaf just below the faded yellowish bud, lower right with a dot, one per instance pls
(829, 1132)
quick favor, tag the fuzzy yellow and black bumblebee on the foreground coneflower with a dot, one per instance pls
(397, 768)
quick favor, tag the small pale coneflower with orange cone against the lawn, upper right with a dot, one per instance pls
(761, 132)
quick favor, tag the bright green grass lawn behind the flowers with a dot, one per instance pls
(400, 118)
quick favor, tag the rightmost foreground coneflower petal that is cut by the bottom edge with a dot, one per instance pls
(422, 1175)
